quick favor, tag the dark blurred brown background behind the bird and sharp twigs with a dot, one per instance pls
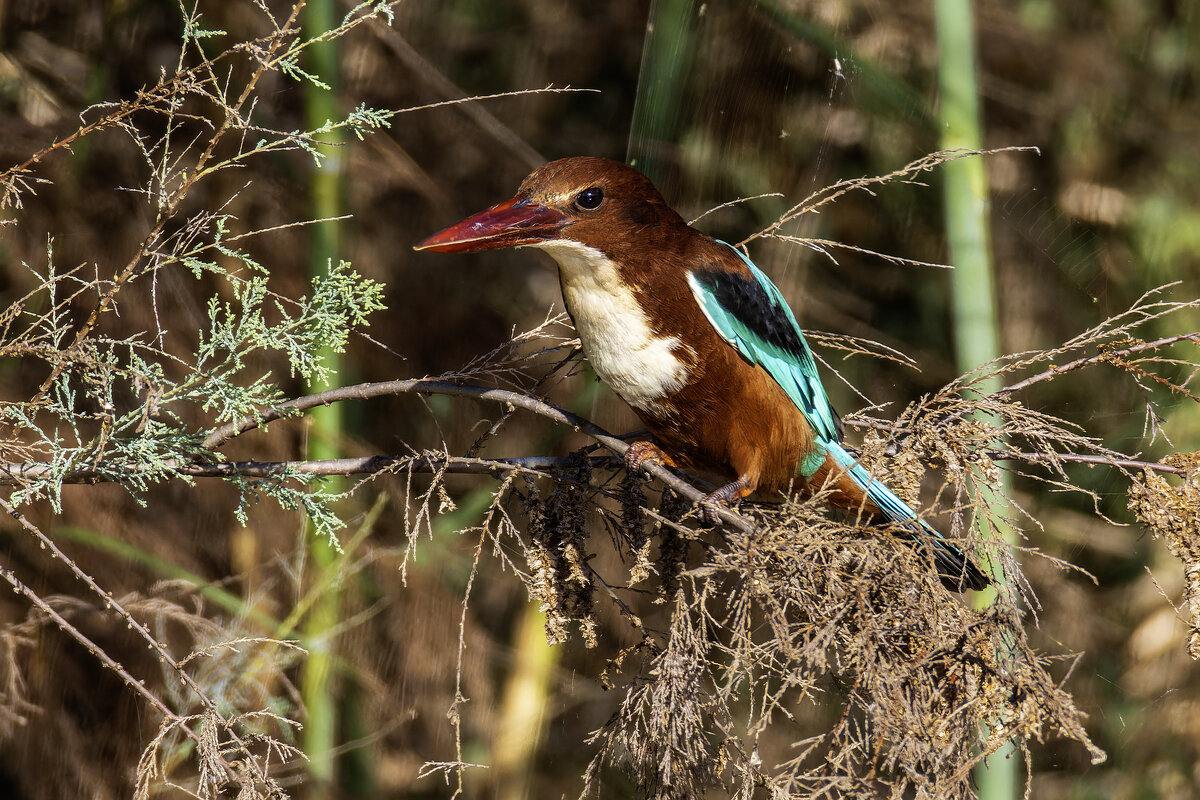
(727, 100)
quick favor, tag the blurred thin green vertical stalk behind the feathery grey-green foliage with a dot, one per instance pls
(319, 685)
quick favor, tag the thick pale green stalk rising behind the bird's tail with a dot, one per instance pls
(976, 324)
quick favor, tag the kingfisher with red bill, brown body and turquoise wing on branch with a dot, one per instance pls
(697, 340)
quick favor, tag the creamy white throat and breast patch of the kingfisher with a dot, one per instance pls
(638, 364)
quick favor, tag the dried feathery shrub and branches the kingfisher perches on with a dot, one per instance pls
(784, 625)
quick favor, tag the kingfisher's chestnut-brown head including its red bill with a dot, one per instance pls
(595, 202)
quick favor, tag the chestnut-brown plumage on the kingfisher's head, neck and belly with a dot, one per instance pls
(764, 435)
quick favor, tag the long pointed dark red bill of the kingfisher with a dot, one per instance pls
(517, 222)
